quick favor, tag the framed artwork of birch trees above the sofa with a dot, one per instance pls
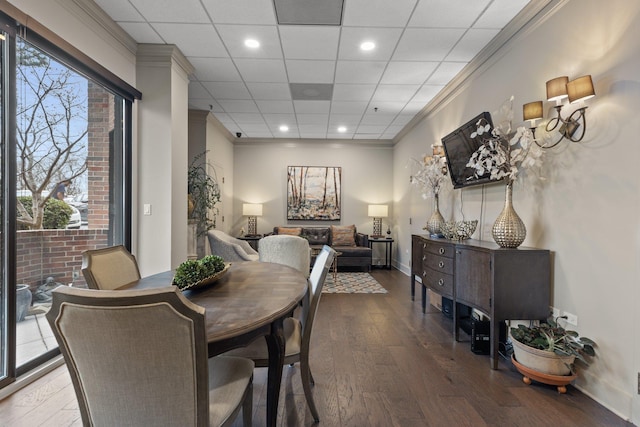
(313, 192)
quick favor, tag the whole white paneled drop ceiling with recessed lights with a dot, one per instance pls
(313, 77)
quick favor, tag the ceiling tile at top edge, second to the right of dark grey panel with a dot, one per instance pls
(447, 13)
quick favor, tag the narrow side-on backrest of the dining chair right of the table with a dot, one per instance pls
(316, 282)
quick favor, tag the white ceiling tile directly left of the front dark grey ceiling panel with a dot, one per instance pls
(241, 11)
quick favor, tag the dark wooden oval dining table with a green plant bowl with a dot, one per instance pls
(251, 300)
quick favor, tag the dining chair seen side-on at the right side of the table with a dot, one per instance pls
(297, 332)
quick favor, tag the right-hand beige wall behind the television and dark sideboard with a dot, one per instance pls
(587, 211)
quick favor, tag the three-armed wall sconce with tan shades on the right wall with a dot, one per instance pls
(577, 90)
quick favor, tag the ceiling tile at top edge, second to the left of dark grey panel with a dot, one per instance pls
(171, 11)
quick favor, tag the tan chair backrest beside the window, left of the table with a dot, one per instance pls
(109, 268)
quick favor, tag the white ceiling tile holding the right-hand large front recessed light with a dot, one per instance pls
(385, 39)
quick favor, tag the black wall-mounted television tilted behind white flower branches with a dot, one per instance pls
(458, 148)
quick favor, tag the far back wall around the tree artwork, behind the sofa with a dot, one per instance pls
(260, 176)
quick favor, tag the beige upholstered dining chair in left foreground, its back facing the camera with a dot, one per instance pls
(140, 358)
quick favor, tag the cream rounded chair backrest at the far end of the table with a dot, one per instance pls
(288, 250)
